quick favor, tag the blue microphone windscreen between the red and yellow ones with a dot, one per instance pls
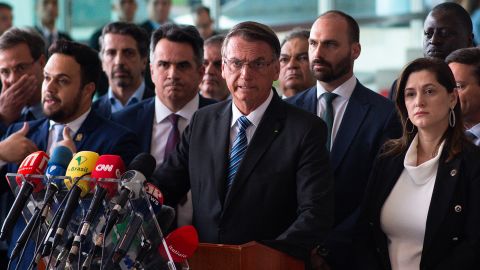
(57, 165)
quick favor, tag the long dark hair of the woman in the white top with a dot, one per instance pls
(454, 136)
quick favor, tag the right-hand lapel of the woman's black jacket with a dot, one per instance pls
(446, 180)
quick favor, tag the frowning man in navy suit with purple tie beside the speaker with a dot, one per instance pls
(176, 67)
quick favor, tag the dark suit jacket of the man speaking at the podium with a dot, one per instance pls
(282, 190)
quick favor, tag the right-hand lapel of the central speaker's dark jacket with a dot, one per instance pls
(270, 126)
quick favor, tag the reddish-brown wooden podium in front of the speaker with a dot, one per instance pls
(251, 256)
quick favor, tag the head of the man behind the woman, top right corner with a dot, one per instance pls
(447, 28)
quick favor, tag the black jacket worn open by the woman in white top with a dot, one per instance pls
(452, 234)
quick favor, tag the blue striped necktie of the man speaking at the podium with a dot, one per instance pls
(238, 150)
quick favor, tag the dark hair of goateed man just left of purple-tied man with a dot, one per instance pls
(128, 29)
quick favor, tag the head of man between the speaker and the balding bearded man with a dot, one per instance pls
(295, 74)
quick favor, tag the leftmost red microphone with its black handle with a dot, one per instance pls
(33, 164)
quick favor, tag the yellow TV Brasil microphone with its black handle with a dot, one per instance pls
(80, 166)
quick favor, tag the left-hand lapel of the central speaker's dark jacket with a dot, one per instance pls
(220, 148)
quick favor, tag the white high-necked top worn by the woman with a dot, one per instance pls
(403, 217)
